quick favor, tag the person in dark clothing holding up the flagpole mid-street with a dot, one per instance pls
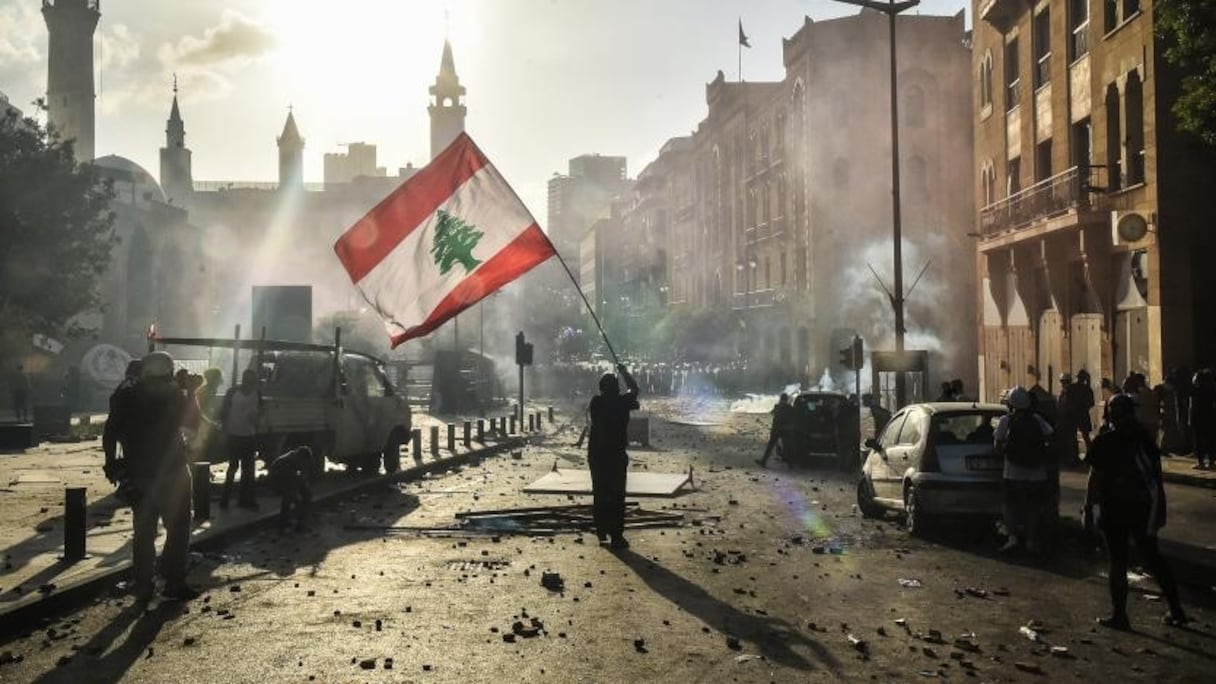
(606, 455)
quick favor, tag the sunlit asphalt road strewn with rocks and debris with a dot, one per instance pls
(772, 578)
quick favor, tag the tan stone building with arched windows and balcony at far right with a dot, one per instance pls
(1090, 205)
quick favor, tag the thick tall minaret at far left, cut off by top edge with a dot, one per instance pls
(70, 94)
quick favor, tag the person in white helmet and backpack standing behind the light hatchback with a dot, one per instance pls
(1022, 440)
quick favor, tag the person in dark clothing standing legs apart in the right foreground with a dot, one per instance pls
(1125, 498)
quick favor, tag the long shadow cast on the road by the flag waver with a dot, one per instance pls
(775, 638)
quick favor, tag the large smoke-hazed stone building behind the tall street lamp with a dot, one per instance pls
(775, 205)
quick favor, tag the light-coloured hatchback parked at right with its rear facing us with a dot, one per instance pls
(934, 461)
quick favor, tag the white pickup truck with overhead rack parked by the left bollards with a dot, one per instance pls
(340, 403)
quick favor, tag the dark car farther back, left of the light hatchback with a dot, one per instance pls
(825, 429)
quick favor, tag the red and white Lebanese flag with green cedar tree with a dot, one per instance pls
(447, 238)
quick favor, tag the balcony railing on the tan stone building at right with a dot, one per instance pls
(1076, 189)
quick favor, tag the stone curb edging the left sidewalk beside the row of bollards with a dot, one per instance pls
(25, 614)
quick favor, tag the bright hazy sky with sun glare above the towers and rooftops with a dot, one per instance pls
(548, 80)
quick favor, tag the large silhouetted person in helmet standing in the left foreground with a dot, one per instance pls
(147, 421)
